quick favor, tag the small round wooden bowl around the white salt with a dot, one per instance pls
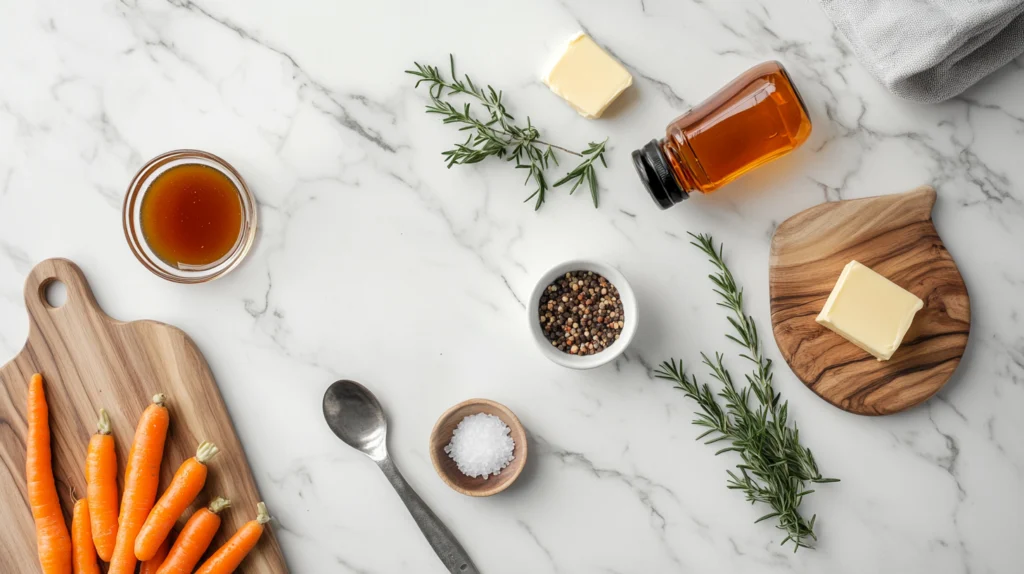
(446, 467)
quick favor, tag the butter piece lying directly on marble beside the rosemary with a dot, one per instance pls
(587, 77)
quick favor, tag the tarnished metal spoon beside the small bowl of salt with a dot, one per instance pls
(356, 416)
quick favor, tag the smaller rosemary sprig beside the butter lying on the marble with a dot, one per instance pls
(499, 136)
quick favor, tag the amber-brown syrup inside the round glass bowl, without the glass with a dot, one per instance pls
(192, 216)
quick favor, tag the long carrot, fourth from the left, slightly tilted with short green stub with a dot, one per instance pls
(142, 481)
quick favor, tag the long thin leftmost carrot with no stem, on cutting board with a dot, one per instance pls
(53, 540)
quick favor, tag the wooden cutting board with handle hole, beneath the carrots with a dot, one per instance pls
(89, 362)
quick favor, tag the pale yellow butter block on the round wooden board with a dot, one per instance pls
(871, 312)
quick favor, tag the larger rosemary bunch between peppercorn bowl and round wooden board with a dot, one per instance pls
(776, 467)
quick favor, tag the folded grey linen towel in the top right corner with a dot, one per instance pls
(931, 51)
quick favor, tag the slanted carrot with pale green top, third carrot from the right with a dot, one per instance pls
(184, 490)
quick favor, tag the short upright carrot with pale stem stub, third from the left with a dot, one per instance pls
(102, 489)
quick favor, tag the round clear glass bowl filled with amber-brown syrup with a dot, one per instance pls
(189, 216)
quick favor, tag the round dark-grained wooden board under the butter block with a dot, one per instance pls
(894, 236)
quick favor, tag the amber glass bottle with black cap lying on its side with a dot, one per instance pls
(756, 118)
